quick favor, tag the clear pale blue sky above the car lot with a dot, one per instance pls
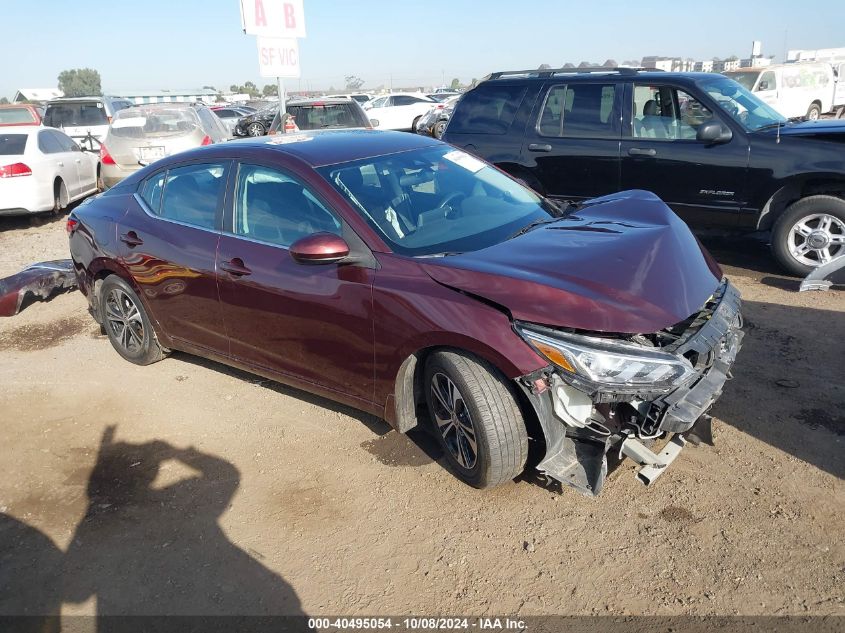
(167, 44)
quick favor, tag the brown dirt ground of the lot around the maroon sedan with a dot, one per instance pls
(202, 489)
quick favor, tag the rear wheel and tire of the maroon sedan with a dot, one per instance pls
(126, 323)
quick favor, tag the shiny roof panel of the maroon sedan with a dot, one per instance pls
(318, 148)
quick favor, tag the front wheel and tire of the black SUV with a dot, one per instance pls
(810, 232)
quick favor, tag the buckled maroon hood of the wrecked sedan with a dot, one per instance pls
(623, 263)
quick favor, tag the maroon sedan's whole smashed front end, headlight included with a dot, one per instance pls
(616, 395)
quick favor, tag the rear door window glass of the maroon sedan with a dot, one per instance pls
(191, 194)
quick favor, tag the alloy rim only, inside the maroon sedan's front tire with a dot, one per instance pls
(454, 421)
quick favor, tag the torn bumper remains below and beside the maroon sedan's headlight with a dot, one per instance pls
(625, 425)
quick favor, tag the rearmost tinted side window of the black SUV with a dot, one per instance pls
(488, 109)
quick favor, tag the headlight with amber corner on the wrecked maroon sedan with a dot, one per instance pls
(597, 364)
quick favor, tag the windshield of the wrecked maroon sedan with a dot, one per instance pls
(437, 201)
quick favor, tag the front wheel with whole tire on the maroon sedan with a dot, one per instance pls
(476, 419)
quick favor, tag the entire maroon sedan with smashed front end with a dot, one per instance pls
(398, 275)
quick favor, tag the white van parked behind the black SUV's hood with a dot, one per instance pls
(800, 89)
